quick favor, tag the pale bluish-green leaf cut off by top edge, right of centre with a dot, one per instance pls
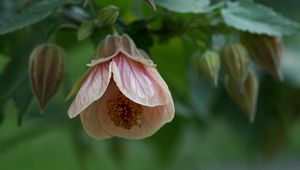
(185, 6)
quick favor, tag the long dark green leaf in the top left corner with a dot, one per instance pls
(32, 15)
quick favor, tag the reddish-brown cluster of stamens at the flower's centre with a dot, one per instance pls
(124, 112)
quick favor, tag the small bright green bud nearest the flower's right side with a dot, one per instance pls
(208, 64)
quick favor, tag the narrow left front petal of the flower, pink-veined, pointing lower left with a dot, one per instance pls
(92, 89)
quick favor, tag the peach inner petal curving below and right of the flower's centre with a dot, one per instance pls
(151, 118)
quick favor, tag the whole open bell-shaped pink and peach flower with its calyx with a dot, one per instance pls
(123, 95)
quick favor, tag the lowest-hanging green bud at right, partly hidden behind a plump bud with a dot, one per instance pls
(247, 98)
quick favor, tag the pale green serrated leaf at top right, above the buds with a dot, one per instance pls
(255, 18)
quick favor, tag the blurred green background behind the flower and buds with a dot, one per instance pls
(209, 131)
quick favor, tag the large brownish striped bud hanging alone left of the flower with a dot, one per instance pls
(46, 70)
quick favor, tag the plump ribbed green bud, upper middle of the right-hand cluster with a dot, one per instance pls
(235, 60)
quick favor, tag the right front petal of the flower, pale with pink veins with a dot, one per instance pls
(136, 82)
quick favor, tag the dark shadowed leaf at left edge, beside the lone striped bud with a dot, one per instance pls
(14, 78)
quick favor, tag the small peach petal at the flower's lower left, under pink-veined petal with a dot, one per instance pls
(91, 124)
